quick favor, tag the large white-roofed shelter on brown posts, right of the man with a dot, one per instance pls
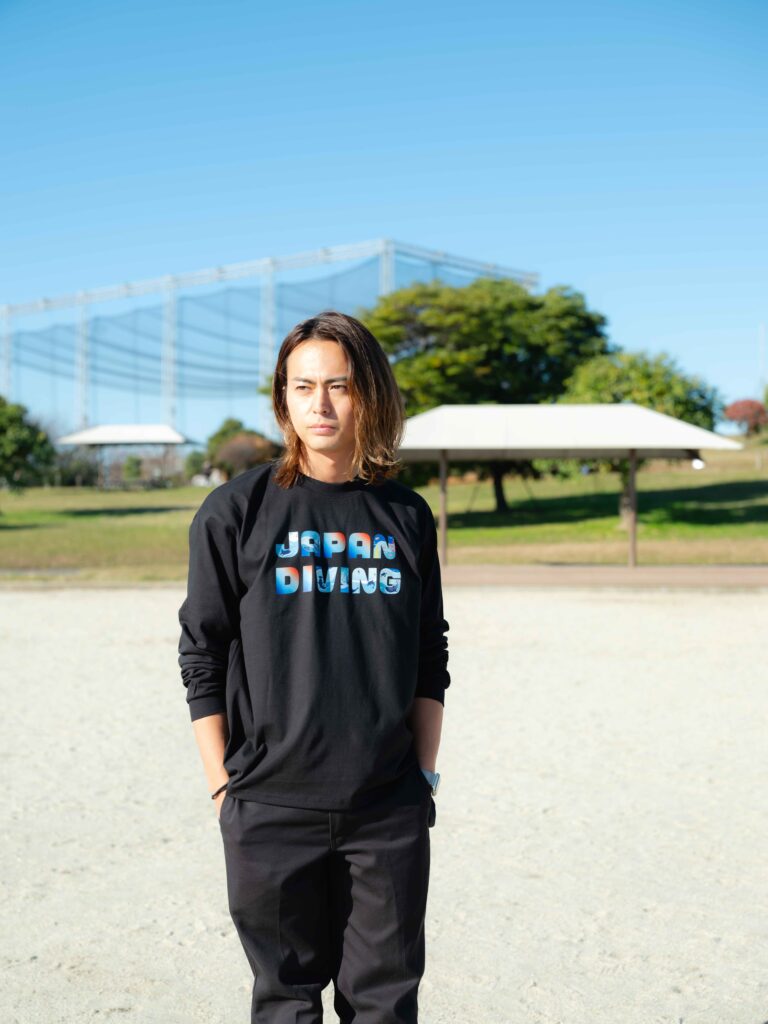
(470, 434)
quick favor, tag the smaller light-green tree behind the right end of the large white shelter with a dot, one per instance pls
(654, 381)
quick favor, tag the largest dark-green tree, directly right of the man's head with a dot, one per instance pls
(490, 342)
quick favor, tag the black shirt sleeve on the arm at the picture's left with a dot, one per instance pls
(210, 614)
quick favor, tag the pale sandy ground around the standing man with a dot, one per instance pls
(601, 848)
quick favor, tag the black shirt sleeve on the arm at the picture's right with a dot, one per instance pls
(434, 675)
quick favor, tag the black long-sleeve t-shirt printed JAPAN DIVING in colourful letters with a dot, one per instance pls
(314, 618)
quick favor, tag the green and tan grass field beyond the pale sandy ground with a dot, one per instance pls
(715, 516)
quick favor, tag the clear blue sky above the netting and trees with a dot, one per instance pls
(619, 148)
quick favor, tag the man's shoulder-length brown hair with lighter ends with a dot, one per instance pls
(377, 404)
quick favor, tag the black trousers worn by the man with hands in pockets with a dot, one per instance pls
(321, 897)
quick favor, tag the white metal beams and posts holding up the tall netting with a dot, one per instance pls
(267, 269)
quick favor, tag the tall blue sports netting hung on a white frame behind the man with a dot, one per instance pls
(196, 353)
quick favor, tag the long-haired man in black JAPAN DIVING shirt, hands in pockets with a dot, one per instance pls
(315, 658)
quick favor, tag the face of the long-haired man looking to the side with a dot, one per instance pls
(318, 394)
